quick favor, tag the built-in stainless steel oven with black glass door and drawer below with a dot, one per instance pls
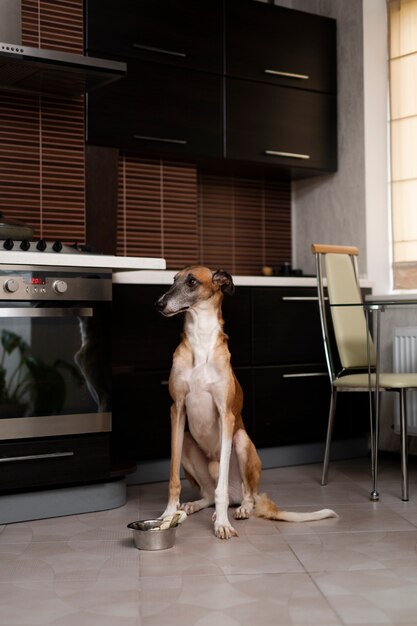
(55, 364)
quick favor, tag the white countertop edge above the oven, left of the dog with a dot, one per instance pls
(100, 261)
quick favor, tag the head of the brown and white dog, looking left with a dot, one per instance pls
(192, 285)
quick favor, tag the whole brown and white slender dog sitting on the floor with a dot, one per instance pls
(217, 453)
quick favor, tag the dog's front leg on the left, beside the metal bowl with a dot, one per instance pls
(177, 439)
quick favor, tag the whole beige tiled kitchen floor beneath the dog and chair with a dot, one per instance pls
(359, 569)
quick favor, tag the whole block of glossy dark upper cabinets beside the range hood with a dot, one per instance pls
(240, 81)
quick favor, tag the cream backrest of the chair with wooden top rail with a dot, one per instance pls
(338, 265)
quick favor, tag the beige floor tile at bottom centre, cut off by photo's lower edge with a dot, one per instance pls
(277, 599)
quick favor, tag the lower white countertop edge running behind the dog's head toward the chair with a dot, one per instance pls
(166, 277)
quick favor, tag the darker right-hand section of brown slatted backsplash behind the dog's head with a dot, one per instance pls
(245, 223)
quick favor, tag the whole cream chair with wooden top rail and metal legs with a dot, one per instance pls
(338, 266)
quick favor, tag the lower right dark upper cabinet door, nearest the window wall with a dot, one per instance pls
(280, 126)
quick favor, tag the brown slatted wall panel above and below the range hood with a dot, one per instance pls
(42, 139)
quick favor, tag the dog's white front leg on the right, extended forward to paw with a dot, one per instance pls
(222, 527)
